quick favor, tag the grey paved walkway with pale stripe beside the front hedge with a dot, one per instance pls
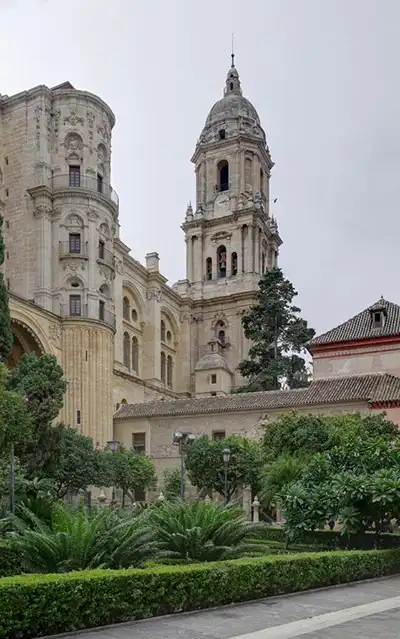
(366, 610)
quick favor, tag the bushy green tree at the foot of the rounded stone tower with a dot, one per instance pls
(79, 464)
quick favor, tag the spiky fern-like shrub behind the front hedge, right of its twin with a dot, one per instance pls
(201, 531)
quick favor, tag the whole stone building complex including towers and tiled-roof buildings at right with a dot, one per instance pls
(143, 359)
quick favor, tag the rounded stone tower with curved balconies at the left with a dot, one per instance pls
(61, 217)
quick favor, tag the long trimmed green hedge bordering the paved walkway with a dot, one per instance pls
(34, 605)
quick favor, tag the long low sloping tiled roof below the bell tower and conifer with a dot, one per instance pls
(377, 387)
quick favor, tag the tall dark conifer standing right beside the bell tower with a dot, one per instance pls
(278, 335)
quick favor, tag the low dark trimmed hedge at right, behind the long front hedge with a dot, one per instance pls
(332, 539)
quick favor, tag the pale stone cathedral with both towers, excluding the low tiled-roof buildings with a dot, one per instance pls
(120, 332)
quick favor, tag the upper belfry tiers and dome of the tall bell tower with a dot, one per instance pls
(231, 236)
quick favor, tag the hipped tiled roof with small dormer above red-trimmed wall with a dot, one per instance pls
(361, 326)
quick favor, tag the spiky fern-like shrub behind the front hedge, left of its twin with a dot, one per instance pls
(81, 540)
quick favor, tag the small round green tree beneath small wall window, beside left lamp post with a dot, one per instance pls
(132, 472)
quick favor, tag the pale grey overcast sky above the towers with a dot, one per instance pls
(324, 79)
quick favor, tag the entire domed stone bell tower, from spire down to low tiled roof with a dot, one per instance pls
(231, 237)
